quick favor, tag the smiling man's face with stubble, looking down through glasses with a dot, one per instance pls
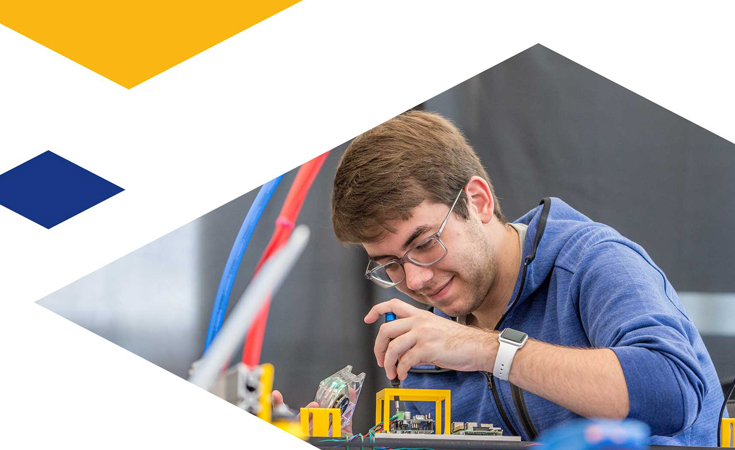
(459, 283)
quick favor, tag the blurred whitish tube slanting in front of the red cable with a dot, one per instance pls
(266, 282)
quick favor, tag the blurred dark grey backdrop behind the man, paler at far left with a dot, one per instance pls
(543, 126)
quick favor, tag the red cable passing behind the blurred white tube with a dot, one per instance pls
(284, 224)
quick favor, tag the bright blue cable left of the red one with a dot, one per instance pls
(233, 261)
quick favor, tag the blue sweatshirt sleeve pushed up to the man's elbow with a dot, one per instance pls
(625, 304)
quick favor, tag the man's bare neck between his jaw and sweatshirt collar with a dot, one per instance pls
(509, 260)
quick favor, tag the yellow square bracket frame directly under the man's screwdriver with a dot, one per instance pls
(384, 398)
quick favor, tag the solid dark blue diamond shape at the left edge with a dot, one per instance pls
(49, 189)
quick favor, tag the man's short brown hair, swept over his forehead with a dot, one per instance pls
(391, 169)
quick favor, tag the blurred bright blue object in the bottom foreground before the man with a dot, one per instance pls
(597, 434)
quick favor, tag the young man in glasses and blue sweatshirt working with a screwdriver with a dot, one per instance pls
(590, 325)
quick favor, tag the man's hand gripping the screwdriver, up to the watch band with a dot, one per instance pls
(421, 337)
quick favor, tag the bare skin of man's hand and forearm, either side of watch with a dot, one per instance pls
(589, 382)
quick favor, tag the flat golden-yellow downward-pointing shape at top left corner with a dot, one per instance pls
(131, 41)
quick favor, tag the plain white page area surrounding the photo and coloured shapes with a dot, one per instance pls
(239, 114)
